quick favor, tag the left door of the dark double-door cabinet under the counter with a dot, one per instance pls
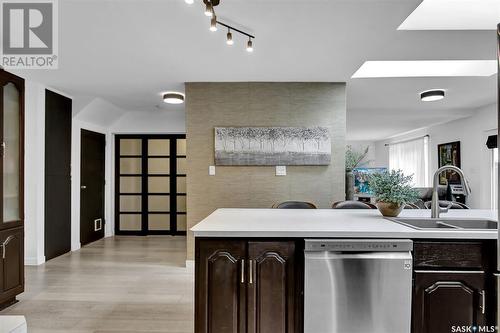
(220, 286)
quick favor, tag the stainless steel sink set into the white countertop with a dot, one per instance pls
(446, 223)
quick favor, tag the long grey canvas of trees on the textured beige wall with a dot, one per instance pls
(272, 146)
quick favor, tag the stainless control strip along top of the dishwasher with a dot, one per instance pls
(359, 245)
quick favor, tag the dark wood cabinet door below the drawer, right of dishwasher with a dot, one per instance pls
(443, 300)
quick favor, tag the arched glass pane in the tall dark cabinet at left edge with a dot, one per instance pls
(10, 148)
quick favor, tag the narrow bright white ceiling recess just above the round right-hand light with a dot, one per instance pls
(426, 68)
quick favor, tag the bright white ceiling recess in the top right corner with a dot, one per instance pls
(454, 15)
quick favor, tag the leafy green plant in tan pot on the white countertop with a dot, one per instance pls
(392, 190)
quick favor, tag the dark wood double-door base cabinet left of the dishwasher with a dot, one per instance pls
(245, 286)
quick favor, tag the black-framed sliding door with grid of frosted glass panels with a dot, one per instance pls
(150, 190)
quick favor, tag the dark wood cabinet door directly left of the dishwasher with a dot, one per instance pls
(271, 287)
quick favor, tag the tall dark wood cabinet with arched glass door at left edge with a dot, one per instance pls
(12, 185)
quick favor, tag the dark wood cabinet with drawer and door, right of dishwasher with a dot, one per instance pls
(452, 285)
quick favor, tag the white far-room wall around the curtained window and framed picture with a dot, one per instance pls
(475, 157)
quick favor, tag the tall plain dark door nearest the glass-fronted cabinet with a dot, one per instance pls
(57, 174)
